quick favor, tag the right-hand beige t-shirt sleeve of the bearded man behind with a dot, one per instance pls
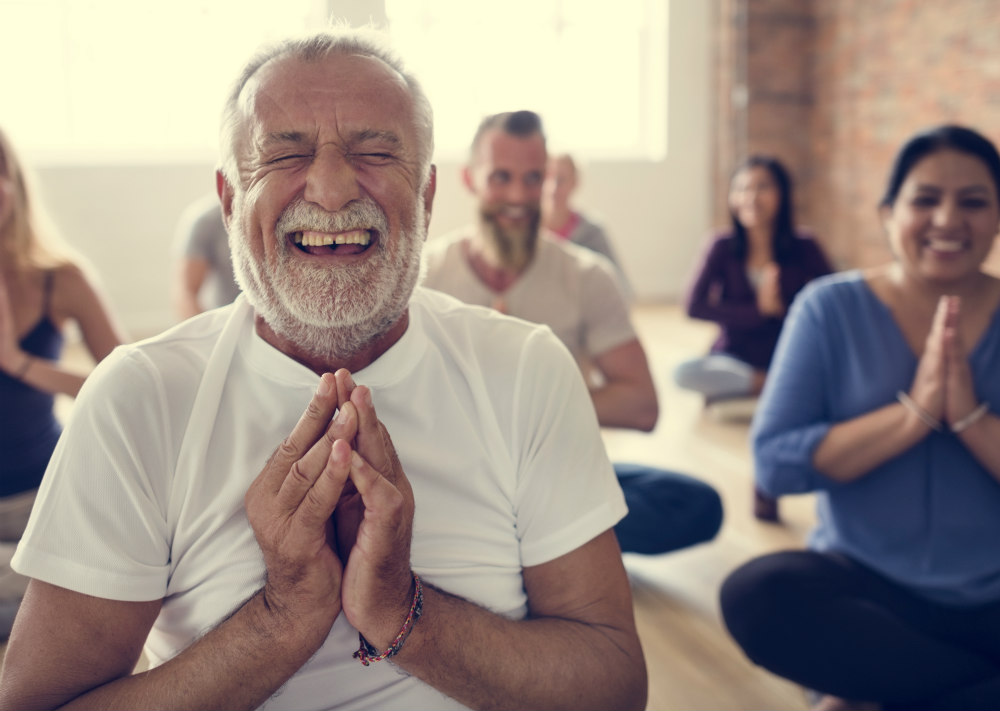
(605, 312)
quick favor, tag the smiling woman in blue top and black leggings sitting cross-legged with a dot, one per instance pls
(882, 398)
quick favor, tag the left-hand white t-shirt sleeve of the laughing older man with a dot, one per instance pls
(99, 524)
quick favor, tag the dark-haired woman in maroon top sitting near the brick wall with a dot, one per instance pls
(746, 283)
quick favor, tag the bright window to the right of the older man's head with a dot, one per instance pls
(595, 71)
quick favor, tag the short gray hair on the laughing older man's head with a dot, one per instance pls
(312, 47)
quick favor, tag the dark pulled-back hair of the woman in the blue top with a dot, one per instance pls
(939, 138)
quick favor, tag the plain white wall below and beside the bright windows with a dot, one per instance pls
(123, 216)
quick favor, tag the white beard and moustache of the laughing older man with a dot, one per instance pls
(331, 313)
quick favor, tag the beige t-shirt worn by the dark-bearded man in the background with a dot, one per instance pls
(573, 290)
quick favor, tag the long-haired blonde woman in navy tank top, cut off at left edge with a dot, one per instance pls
(41, 290)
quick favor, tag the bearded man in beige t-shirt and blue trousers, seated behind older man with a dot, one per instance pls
(506, 261)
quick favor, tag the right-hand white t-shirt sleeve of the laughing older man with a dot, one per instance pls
(567, 492)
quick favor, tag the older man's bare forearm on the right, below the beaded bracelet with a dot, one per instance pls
(487, 661)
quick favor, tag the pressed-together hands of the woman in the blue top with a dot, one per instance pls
(943, 385)
